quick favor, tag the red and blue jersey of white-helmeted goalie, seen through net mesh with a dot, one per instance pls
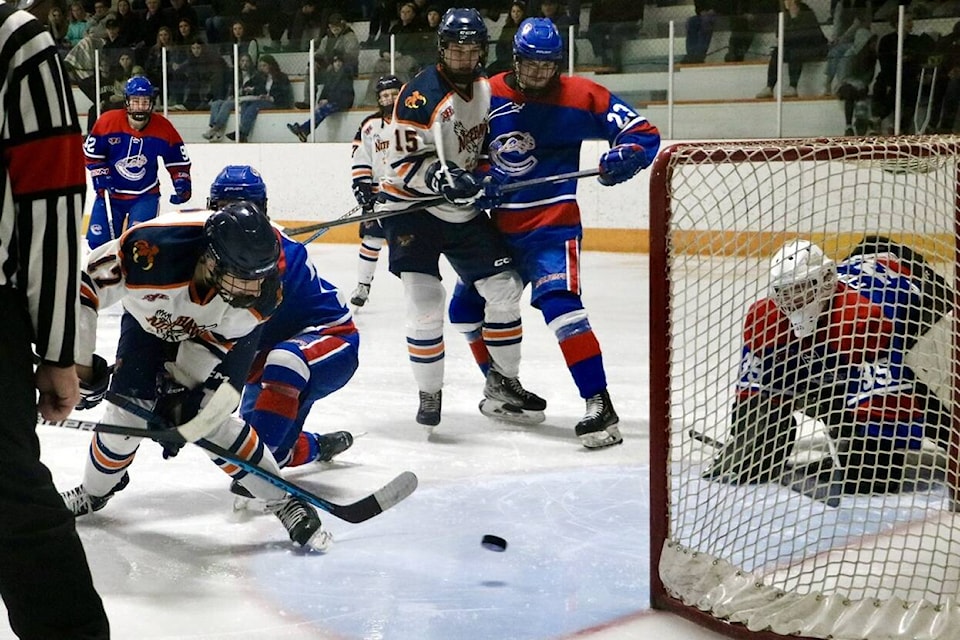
(860, 344)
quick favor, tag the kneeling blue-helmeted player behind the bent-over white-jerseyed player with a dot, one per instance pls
(307, 349)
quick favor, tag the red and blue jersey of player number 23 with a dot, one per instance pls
(539, 136)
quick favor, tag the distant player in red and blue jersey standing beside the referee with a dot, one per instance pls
(122, 154)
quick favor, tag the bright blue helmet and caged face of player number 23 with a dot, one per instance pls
(537, 54)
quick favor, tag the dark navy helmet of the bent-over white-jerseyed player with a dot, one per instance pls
(243, 250)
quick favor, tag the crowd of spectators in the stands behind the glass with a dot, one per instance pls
(856, 41)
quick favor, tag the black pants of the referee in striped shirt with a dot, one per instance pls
(44, 578)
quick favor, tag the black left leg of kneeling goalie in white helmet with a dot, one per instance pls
(761, 438)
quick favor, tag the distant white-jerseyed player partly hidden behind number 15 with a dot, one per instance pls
(370, 145)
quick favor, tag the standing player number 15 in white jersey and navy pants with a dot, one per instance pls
(440, 121)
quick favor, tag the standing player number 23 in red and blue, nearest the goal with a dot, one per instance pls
(538, 120)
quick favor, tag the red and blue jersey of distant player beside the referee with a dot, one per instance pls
(132, 155)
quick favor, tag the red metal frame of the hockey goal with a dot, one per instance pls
(662, 170)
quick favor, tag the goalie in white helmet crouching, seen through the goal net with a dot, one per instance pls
(833, 341)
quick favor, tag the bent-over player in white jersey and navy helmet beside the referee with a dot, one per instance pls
(196, 289)
